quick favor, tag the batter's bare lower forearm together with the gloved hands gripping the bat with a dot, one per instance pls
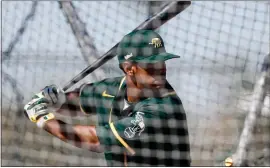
(38, 112)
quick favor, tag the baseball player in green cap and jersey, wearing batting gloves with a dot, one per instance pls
(141, 120)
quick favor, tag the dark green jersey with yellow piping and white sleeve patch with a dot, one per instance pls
(151, 132)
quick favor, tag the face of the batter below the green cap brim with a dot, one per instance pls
(151, 76)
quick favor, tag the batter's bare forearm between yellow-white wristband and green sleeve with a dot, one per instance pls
(78, 135)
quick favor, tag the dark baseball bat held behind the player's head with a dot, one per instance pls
(167, 12)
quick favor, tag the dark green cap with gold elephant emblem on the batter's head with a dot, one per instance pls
(144, 46)
